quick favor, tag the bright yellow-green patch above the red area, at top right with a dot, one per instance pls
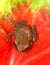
(37, 4)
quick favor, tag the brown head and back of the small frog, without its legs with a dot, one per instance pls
(23, 37)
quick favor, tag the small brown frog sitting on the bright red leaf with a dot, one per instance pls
(24, 35)
